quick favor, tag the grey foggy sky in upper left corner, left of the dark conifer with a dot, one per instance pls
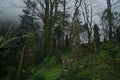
(11, 9)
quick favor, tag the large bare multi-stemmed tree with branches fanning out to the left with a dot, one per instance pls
(46, 12)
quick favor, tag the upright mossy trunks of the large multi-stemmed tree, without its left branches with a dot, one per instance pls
(49, 23)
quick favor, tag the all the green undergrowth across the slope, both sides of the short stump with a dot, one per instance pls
(91, 66)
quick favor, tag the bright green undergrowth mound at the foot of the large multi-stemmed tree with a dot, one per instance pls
(48, 70)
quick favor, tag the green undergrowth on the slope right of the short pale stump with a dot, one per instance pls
(96, 66)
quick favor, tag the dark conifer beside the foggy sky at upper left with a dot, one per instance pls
(28, 23)
